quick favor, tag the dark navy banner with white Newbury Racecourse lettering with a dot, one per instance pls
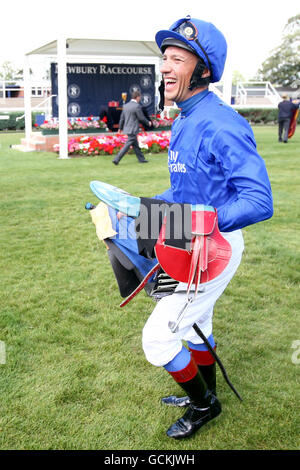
(92, 86)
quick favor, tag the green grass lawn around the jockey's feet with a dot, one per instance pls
(75, 376)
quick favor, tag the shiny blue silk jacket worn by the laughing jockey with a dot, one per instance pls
(213, 160)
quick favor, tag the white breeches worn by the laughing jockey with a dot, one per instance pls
(159, 343)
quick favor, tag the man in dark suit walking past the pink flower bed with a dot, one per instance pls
(131, 116)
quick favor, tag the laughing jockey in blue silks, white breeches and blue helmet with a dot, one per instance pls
(212, 160)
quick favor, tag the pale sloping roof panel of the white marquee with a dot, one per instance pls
(102, 47)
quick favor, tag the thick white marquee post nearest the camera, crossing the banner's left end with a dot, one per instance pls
(62, 97)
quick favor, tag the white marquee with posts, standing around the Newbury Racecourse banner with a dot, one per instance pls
(70, 50)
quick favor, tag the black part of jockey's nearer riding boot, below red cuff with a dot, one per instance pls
(203, 407)
